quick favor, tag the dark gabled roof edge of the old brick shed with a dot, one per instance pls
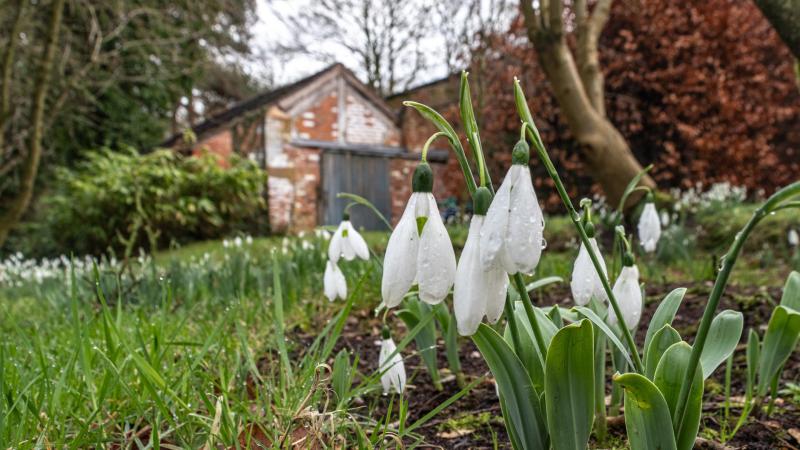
(260, 101)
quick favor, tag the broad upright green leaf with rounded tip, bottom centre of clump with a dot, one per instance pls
(569, 386)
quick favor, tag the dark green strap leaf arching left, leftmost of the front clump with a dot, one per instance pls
(521, 410)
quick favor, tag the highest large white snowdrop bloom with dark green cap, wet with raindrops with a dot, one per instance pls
(512, 232)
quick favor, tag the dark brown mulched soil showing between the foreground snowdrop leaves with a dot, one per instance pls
(458, 425)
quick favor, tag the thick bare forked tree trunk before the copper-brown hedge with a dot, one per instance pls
(578, 89)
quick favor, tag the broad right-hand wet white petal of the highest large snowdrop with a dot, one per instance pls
(525, 225)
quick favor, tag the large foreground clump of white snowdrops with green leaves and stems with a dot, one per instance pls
(549, 364)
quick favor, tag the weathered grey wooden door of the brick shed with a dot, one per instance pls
(367, 176)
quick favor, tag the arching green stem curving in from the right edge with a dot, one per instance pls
(774, 203)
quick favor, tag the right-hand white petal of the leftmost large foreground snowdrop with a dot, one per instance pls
(436, 259)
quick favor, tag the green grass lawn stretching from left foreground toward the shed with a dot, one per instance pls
(203, 346)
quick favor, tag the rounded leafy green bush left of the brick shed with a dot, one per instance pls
(121, 201)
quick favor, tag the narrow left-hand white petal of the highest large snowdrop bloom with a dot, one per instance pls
(495, 227)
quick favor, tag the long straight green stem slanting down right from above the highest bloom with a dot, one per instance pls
(533, 133)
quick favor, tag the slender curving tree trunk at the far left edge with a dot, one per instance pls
(30, 166)
